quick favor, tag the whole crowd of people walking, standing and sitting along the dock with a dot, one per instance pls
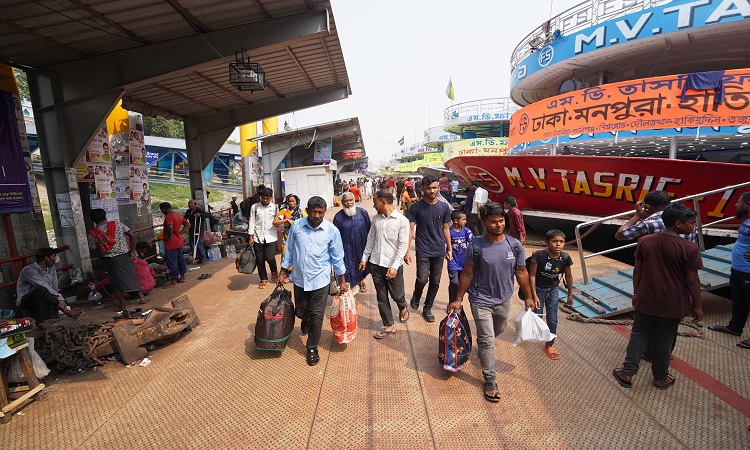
(481, 241)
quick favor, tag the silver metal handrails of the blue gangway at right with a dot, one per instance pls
(696, 206)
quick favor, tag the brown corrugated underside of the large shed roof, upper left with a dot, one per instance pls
(50, 32)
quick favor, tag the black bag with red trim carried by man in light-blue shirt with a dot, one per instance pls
(275, 321)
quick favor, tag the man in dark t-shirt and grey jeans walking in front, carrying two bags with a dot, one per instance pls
(489, 265)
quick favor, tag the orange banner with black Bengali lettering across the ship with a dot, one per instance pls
(652, 103)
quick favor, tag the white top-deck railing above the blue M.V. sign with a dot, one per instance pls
(579, 17)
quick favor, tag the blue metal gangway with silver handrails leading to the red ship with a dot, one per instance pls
(611, 294)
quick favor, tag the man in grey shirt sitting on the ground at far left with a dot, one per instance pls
(37, 290)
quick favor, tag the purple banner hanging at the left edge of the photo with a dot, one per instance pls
(15, 195)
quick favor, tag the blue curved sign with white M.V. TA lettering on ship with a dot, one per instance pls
(674, 16)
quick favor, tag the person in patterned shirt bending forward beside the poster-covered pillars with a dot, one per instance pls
(117, 259)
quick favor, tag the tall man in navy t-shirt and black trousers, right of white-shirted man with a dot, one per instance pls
(432, 243)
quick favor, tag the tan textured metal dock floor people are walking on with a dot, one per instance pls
(212, 389)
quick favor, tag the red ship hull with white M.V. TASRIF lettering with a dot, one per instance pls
(600, 185)
